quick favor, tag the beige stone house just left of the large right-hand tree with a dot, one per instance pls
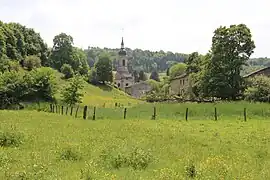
(180, 85)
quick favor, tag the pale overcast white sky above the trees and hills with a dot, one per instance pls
(182, 26)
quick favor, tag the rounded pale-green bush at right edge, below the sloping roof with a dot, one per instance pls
(258, 89)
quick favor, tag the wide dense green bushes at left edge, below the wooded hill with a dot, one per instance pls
(16, 87)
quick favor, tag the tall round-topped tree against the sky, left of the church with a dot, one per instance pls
(62, 51)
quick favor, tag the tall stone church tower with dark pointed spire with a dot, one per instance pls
(122, 77)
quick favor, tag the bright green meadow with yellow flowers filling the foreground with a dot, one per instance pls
(40, 145)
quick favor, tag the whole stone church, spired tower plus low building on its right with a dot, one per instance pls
(124, 80)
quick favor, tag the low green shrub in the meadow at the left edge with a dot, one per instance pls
(10, 139)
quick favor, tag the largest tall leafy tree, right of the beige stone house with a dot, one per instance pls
(231, 48)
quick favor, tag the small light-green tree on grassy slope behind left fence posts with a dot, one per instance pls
(71, 94)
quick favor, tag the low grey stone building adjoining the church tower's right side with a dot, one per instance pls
(139, 89)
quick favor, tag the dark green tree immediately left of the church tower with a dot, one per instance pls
(104, 68)
